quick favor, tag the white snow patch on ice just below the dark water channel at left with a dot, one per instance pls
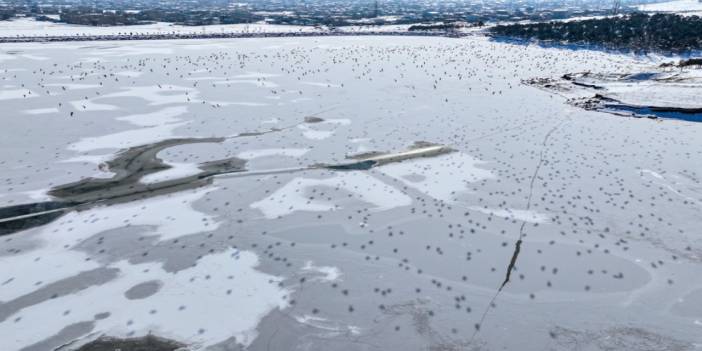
(54, 260)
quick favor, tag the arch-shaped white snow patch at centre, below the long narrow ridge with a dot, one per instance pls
(294, 196)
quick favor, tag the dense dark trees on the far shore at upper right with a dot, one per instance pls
(637, 32)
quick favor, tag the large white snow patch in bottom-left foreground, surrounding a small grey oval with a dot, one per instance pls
(189, 306)
